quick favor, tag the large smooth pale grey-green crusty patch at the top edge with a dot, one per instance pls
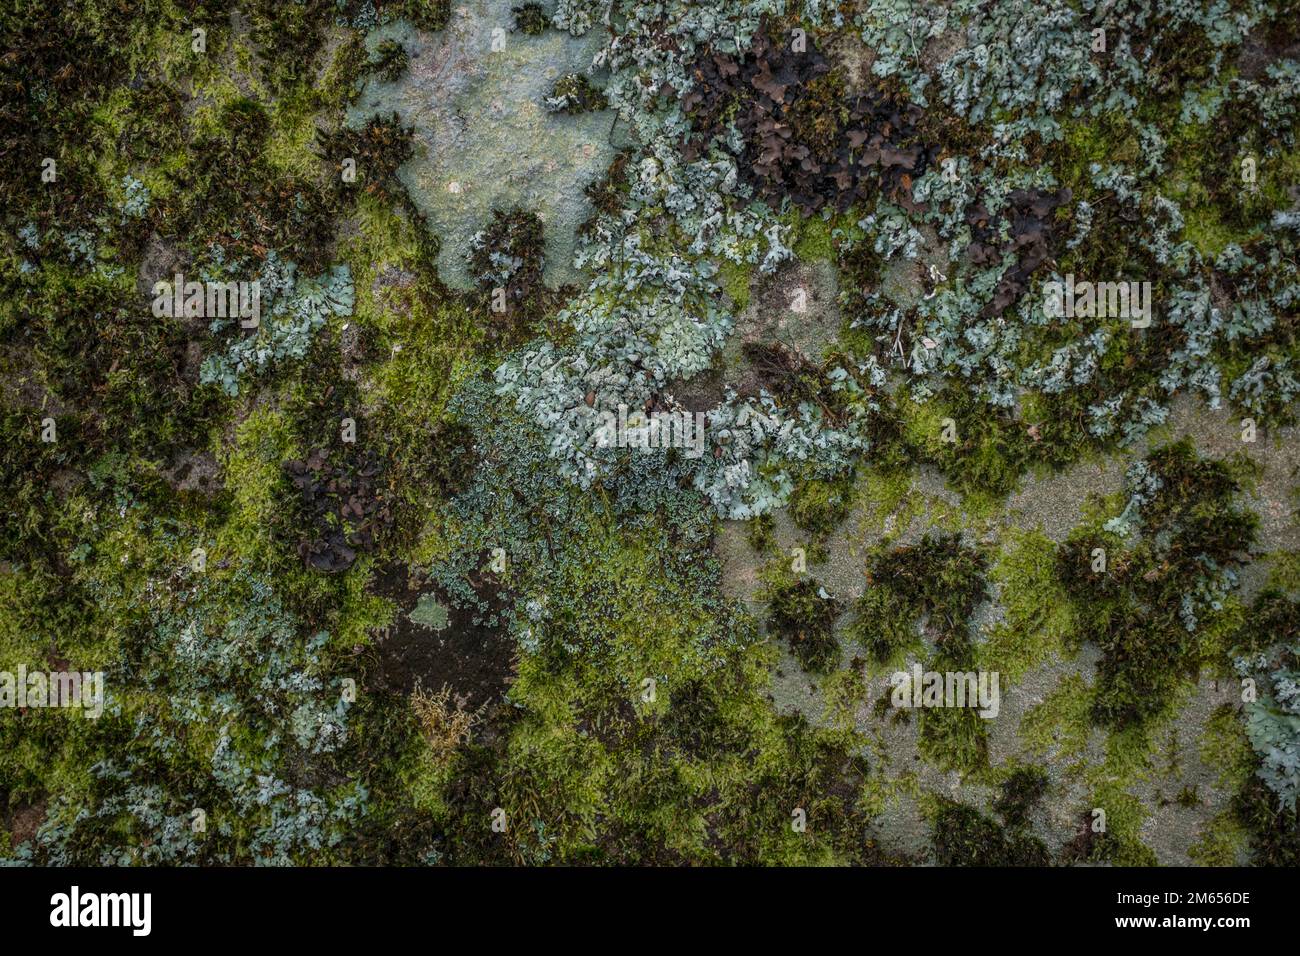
(483, 136)
